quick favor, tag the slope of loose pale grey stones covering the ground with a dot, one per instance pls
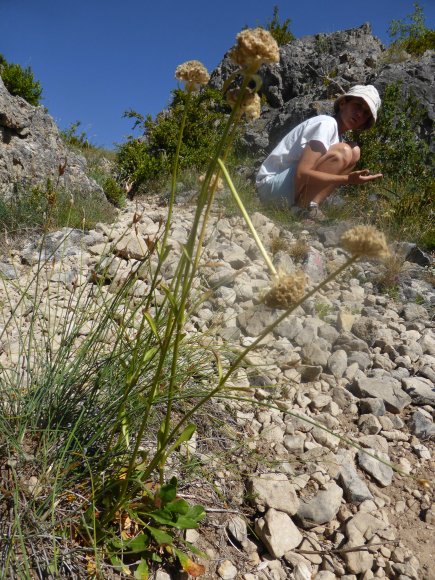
(288, 499)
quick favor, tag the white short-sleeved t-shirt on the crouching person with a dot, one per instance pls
(289, 150)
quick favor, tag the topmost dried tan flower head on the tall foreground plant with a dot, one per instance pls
(254, 47)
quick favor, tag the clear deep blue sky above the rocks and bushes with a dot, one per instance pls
(97, 58)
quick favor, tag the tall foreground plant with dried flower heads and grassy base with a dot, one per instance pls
(103, 411)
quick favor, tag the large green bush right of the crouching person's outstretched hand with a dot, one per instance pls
(396, 148)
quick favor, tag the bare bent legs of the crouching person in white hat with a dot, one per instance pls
(340, 159)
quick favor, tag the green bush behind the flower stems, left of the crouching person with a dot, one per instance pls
(140, 160)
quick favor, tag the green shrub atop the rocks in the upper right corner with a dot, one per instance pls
(412, 35)
